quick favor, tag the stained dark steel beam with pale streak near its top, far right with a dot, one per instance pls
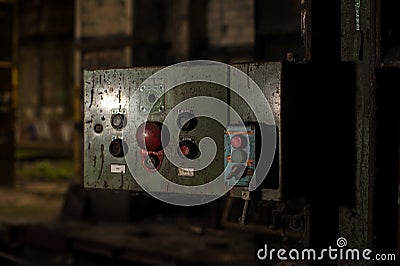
(360, 44)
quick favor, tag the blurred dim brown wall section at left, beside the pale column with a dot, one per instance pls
(45, 71)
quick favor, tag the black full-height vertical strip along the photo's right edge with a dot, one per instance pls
(386, 219)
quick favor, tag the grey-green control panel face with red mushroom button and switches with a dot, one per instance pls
(144, 132)
